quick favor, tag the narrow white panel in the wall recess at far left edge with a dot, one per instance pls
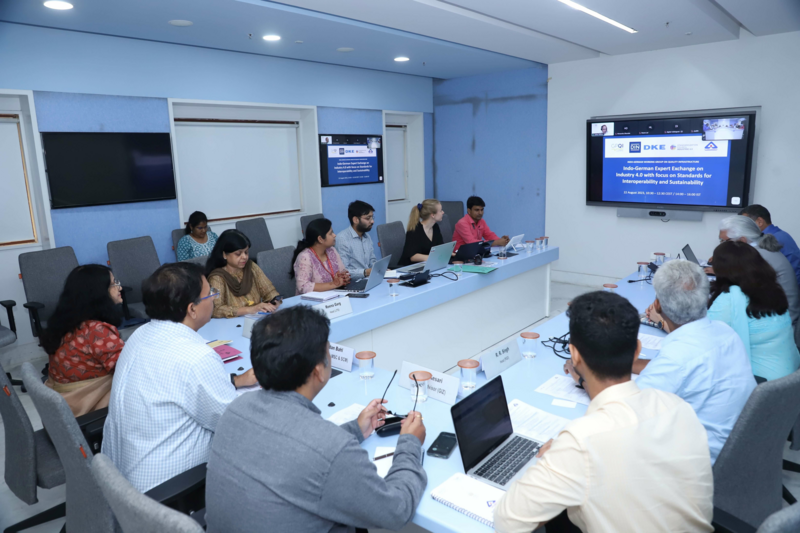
(16, 220)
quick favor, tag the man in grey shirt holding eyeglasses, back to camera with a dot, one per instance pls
(277, 464)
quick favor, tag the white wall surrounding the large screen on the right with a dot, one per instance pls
(594, 244)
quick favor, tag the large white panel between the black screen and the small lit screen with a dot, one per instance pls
(237, 170)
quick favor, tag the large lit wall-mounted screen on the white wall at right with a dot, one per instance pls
(697, 161)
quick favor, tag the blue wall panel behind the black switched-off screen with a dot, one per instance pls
(89, 229)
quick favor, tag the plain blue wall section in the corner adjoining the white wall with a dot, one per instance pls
(490, 140)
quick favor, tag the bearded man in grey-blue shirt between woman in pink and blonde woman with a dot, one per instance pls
(354, 243)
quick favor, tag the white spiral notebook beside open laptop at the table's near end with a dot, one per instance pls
(470, 497)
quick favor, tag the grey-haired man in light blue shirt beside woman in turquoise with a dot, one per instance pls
(702, 361)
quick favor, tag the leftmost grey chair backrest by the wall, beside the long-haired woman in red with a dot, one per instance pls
(43, 276)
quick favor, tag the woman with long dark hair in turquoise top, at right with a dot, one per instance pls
(747, 297)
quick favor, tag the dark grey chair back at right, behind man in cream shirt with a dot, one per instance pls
(748, 473)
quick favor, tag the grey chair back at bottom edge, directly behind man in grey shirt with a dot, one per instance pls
(135, 512)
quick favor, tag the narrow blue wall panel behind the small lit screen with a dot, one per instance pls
(334, 120)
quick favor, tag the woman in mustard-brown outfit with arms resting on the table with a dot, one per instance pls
(243, 288)
